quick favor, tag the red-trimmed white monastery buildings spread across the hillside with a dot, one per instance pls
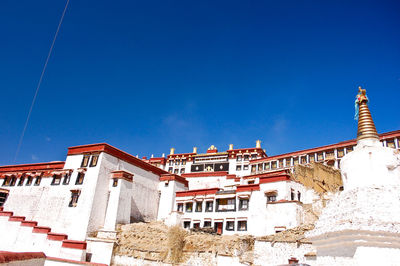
(72, 207)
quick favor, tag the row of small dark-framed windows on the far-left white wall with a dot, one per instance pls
(11, 181)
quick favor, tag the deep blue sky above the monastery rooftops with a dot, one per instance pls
(145, 76)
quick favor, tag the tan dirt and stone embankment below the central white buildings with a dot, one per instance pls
(155, 241)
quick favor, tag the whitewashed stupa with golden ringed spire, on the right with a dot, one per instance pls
(361, 226)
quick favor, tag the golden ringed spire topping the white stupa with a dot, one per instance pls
(366, 127)
